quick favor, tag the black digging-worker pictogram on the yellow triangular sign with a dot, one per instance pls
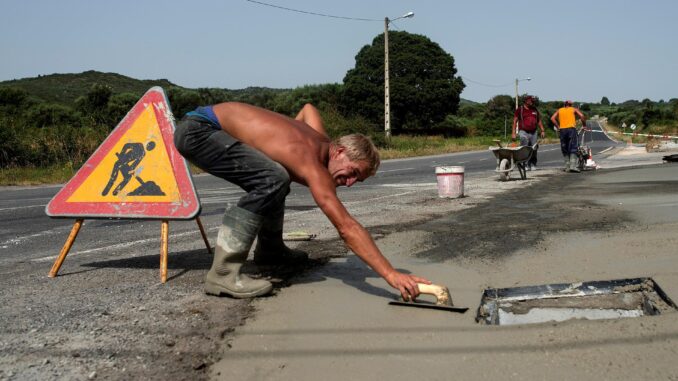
(129, 158)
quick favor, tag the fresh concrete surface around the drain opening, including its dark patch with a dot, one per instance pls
(335, 323)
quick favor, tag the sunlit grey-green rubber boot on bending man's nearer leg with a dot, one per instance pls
(235, 238)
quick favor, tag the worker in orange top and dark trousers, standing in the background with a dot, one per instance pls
(565, 120)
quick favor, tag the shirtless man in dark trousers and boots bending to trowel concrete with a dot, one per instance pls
(262, 152)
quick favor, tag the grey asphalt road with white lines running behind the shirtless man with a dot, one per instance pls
(26, 233)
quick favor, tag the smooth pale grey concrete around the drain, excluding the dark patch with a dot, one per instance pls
(335, 323)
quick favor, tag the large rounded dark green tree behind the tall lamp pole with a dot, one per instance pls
(423, 85)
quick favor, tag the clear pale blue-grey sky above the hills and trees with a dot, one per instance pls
(581, 49)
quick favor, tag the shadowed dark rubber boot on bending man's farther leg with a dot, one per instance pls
(271, 250)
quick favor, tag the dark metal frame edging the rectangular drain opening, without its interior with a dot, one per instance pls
(491, 297)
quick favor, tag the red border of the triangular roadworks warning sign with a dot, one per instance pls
(187, 209)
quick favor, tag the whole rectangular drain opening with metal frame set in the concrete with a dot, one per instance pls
(611, 299)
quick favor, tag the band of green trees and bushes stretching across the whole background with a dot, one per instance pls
(425, 100)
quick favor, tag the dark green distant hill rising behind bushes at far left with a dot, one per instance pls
(65, 88)
